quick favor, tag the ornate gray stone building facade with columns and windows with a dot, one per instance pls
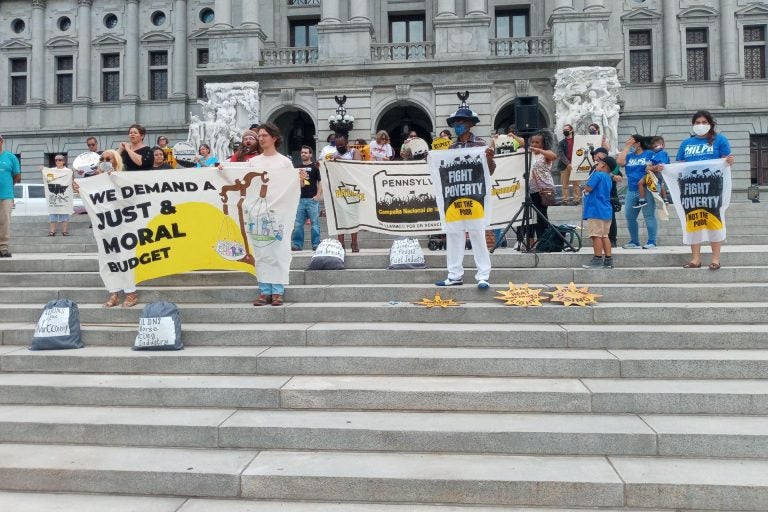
(75, 67)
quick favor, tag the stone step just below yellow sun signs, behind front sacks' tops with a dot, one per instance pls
(471, 313)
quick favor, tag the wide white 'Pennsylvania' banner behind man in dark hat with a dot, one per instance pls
(401, 197)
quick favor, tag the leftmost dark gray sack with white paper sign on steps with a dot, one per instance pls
(58, 327)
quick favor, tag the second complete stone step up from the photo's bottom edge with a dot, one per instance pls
(425, 432)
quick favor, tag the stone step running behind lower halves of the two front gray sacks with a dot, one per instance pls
(693, 336)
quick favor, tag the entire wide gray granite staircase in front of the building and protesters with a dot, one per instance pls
(351, 398)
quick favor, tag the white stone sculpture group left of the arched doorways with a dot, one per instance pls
(230, 109)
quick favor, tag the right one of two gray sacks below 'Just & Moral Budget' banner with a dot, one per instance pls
(159, 327)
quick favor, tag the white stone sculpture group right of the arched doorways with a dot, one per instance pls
(586, 95)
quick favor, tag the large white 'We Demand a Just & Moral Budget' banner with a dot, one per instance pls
(150, 224)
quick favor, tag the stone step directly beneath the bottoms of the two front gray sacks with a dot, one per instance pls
(404, 361)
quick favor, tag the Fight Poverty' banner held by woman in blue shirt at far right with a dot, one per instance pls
(701, 193)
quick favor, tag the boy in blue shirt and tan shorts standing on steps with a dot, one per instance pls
(598, 212)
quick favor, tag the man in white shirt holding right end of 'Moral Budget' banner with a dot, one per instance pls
(272, 271)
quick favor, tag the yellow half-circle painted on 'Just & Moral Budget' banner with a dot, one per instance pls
(204, 225)
